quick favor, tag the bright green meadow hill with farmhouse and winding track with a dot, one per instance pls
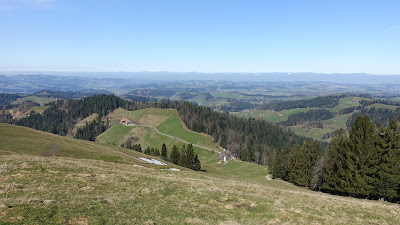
(168, 122)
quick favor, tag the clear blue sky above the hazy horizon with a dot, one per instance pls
(349, 36)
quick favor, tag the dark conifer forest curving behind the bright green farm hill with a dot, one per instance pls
(252, 140)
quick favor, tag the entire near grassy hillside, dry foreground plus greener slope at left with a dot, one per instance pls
(93, 183)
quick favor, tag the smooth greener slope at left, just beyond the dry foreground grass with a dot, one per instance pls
(24, 140)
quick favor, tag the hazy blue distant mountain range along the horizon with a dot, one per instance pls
(355, 78)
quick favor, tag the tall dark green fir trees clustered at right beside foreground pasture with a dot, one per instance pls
(363, 163)
